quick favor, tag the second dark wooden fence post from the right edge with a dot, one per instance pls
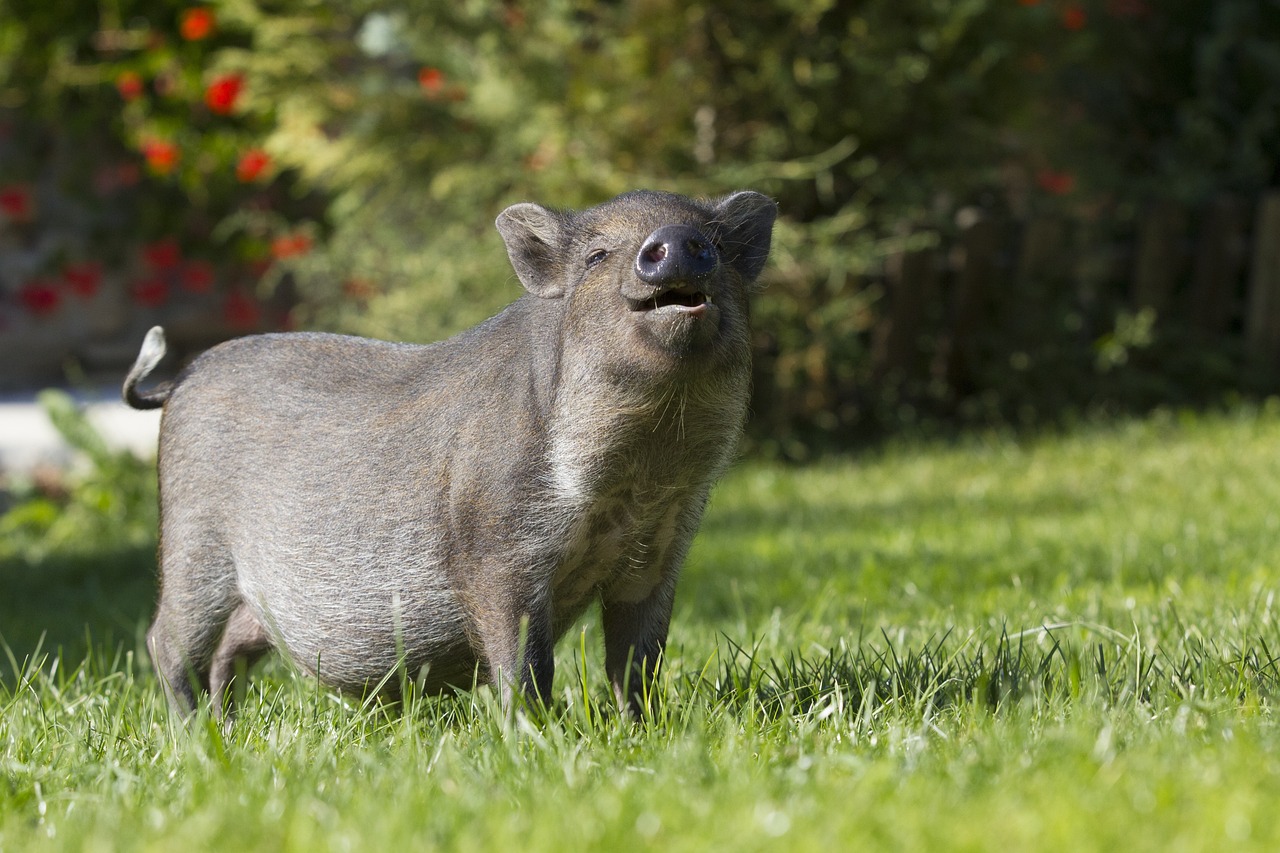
(1218, 267)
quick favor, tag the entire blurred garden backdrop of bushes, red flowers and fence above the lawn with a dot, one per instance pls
(994, 212)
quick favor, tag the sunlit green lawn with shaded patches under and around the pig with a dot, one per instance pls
(1068, 644)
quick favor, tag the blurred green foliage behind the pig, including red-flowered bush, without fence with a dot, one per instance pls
(396, 133)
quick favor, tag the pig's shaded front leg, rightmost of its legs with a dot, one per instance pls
(636, 636)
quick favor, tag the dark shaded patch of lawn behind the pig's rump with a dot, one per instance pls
(68, 606)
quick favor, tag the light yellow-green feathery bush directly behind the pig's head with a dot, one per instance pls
(572, 106)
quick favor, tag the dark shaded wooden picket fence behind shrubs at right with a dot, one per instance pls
(1213, 272)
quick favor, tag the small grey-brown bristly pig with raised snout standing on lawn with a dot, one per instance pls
(454, 508)
